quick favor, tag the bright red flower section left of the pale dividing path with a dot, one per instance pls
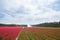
(9, 33)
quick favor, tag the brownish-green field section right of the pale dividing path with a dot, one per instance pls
(39, 34)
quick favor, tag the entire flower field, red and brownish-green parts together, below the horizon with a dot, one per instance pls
(29, 33)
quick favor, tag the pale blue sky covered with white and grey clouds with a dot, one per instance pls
(29, 11)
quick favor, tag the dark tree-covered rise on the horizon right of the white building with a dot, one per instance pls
(50, 24)
